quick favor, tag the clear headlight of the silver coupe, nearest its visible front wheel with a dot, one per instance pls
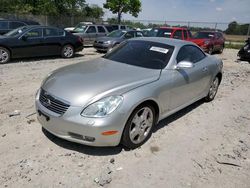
(103, 107)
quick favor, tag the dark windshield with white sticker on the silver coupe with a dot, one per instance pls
(145, 54)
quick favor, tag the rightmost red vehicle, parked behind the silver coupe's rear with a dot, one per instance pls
(209, 41)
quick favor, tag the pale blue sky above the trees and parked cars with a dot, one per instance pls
(189, 10)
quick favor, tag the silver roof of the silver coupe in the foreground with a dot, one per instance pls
(168, 41)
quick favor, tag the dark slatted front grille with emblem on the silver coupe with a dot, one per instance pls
(52, 103)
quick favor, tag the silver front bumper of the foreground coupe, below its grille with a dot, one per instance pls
(73, 127)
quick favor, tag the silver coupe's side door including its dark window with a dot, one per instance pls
(191, 83)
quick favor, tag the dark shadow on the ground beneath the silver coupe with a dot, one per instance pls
(105, 151)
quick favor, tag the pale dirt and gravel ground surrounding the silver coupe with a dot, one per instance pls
(204, 145)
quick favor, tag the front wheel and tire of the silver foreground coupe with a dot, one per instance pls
(138, 128)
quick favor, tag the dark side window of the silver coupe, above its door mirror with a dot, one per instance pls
(190, 53)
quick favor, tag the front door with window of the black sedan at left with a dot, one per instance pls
(30, 44)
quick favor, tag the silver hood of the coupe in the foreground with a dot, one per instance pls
(86, 82)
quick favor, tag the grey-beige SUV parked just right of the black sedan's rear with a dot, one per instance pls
(89, 33)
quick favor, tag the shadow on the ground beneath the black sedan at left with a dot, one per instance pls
(37, 59)
